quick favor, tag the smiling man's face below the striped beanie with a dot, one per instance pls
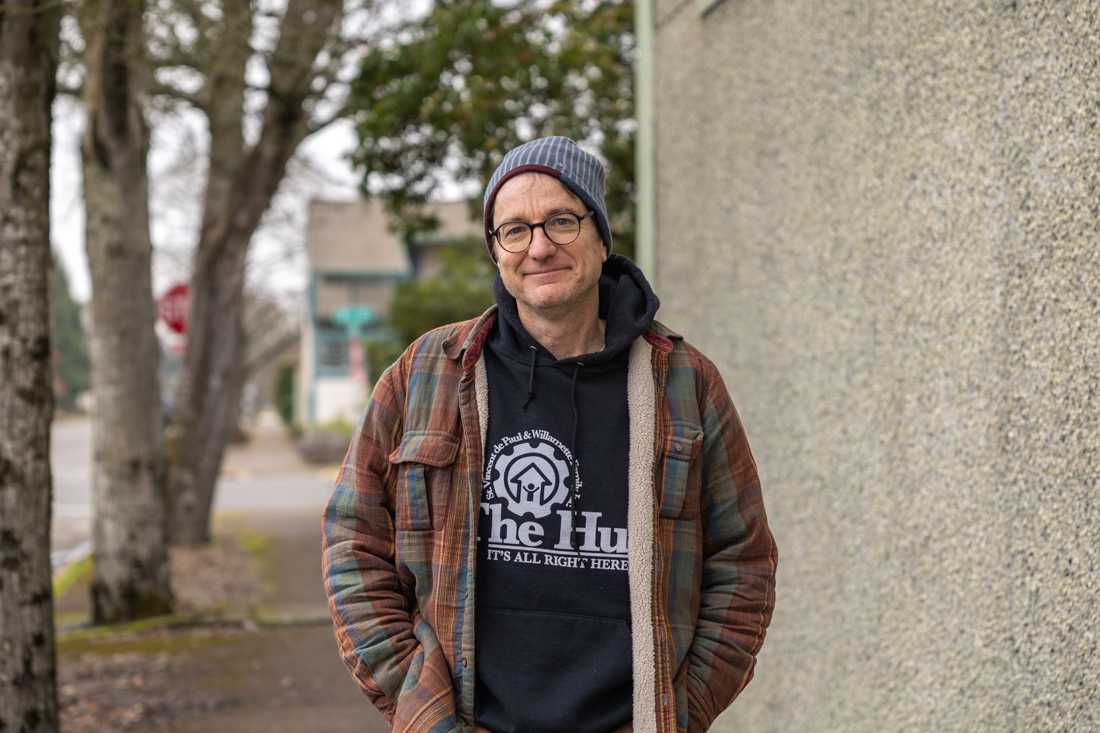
(547, 277)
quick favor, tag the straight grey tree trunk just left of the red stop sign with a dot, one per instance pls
(131, 576)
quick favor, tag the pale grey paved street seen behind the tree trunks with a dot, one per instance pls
(293, 488)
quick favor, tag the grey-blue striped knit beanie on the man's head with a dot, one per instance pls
(582, 173)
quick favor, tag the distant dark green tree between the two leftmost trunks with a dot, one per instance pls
(70, 342)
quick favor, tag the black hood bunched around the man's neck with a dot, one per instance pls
(628, 305)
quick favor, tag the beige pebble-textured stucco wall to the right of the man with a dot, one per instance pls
(883, 222)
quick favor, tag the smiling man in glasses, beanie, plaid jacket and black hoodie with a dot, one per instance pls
(549, 519)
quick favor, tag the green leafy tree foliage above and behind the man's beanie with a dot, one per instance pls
(461, 86)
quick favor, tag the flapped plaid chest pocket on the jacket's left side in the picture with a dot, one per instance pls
(423, 463)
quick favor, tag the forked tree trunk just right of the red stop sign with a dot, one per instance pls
(241, 183)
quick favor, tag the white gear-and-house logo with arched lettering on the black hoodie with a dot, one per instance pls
(532, 472)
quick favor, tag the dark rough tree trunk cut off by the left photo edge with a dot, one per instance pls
(28, 658)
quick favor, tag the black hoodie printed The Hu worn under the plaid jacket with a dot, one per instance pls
(554, 608)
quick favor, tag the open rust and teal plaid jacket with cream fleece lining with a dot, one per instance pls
(400, 551)
